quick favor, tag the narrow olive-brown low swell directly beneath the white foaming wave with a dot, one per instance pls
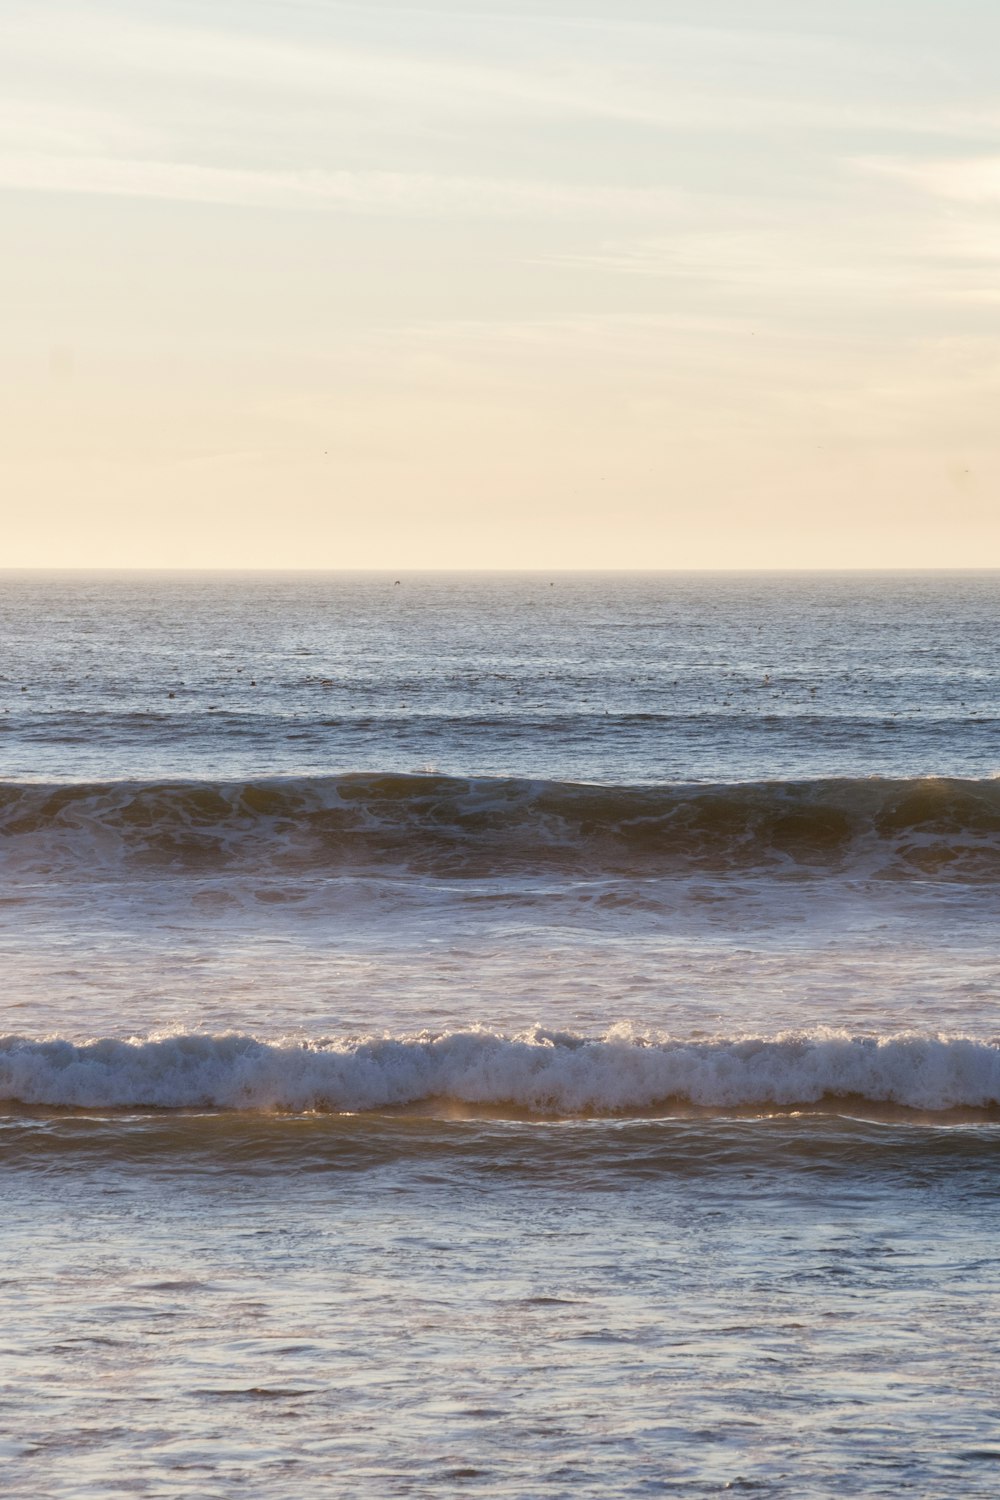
(749, 1153)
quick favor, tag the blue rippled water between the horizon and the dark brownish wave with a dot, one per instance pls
(615, 679)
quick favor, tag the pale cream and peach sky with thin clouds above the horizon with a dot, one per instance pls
(575, 284)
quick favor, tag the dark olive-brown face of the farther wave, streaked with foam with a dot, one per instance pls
(941, 829)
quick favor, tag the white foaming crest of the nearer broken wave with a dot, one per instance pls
(537, 1072)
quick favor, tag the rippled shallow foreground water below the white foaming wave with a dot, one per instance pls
(780, 1307)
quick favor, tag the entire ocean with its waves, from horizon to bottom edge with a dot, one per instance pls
(500, 1036)
